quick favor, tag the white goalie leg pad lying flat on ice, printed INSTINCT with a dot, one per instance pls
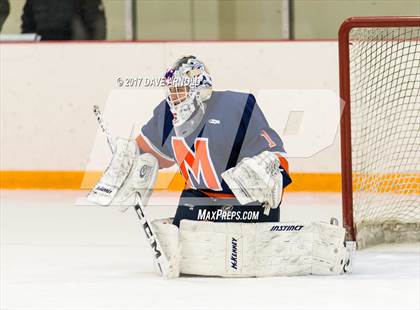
(261, 249)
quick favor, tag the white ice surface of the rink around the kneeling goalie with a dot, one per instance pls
(58, 255)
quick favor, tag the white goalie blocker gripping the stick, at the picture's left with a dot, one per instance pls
(127, 174)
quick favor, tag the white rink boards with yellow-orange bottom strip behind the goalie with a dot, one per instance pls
(50, 139)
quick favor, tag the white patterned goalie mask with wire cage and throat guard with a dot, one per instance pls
(188, 85)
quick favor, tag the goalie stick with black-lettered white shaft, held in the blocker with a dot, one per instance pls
(159, 256)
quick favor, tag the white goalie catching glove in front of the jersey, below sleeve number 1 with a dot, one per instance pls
(258, 178)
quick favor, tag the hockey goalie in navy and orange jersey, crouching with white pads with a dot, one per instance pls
(227, 222)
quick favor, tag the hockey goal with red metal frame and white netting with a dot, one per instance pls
(380, 126)
